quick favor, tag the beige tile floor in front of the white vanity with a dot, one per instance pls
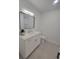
(46, 50)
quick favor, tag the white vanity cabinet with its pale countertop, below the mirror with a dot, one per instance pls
(28, 43)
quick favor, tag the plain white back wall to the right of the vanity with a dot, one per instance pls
(50, 27)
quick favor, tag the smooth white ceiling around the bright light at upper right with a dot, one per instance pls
(44, 5)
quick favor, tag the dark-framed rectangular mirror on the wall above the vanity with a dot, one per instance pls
(27, 20)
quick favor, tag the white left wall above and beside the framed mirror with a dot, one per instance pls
(24, 4)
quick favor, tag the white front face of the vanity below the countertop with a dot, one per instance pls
(31, 44)
